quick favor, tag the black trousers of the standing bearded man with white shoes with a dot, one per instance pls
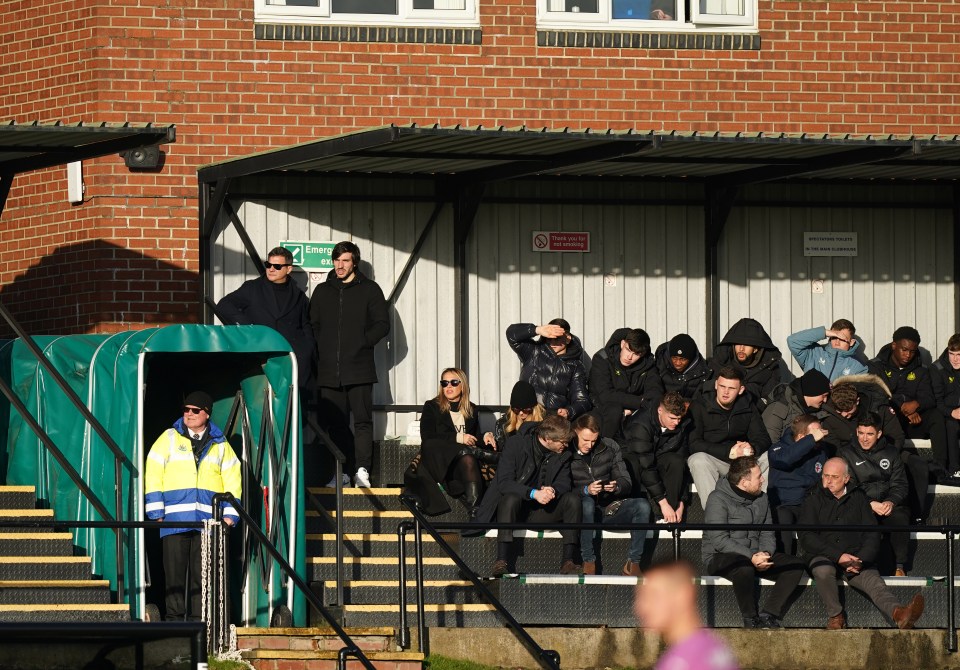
(334, 407)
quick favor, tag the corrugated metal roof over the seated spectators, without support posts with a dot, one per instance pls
(500, 153)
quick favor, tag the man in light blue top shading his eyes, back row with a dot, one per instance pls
(841, 356)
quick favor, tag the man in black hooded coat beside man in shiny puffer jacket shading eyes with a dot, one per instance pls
(623, 378)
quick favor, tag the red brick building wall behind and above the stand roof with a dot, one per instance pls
(128, 256)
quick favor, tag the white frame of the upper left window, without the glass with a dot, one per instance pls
(406, 15)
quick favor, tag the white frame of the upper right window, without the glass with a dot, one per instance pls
(603, 20)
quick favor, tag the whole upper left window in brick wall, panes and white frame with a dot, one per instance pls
(370, 12)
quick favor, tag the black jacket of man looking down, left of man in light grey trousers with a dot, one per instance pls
(645, 442)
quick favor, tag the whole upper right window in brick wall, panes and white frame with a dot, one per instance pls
(653, 15)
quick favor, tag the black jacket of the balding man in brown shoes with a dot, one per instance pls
(820, 507)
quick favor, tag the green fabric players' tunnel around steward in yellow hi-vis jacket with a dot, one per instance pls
(134, 384)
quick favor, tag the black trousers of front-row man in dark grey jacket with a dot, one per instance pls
(787, 571)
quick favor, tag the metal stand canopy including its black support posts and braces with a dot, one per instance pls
(462, 161)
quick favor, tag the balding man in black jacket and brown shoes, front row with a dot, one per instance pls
(849, 555)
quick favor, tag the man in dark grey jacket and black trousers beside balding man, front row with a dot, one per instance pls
(744, 555)
